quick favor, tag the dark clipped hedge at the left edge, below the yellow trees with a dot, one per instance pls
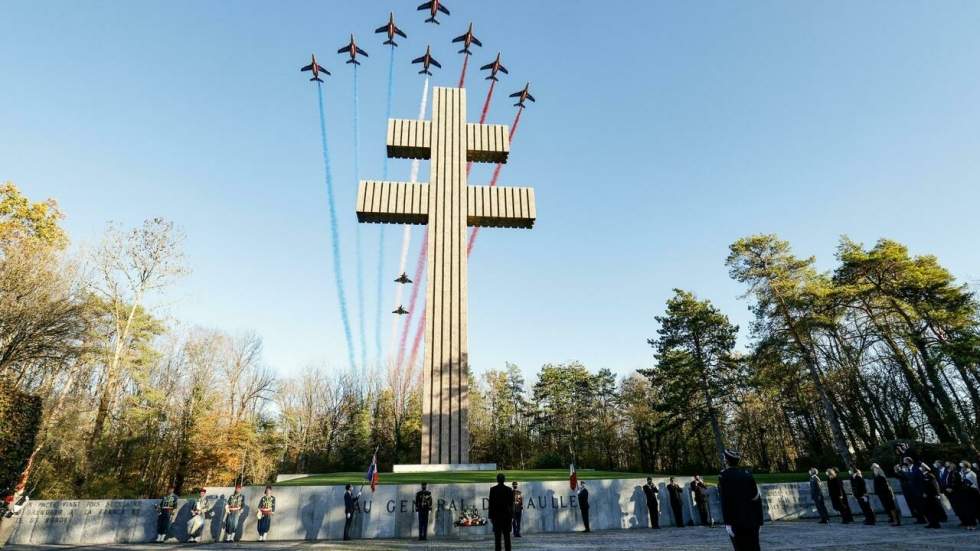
(20, 419)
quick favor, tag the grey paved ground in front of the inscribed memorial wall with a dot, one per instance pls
(780, 535)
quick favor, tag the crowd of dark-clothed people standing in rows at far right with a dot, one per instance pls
(924, 489)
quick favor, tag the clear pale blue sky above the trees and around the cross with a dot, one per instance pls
(663, 132)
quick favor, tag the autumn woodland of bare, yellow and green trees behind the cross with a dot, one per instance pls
(886, 346)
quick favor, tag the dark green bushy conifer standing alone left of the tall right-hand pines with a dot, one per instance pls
(694, 360)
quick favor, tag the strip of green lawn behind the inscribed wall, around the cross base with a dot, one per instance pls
(488, 477)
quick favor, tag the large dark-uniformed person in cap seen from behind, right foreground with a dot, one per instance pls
(741, 504)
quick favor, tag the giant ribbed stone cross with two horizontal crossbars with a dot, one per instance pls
(448, 205)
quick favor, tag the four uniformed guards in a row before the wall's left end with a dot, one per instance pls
(202, 508)
